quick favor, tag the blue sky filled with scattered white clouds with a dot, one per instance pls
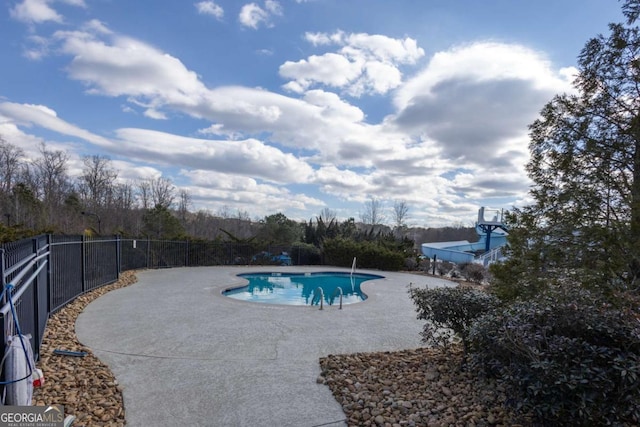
(297, 106)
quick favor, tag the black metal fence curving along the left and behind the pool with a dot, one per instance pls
(48, 272)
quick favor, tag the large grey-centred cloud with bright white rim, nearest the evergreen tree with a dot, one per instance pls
(475, 102)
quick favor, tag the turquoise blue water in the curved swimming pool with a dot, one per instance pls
(298, 288)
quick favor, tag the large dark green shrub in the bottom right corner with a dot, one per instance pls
(568, 357)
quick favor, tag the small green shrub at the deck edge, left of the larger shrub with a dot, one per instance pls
(449, 312)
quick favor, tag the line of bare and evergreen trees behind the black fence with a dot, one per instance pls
(40, 196)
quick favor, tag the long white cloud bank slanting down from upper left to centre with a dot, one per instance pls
(160, 84)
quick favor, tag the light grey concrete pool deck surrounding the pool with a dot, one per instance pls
(186, 355)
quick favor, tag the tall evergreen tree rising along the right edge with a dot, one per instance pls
(585, 166)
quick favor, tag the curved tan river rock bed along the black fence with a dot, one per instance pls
(84, 385)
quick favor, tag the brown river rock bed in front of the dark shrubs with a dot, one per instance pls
(416, 388)
